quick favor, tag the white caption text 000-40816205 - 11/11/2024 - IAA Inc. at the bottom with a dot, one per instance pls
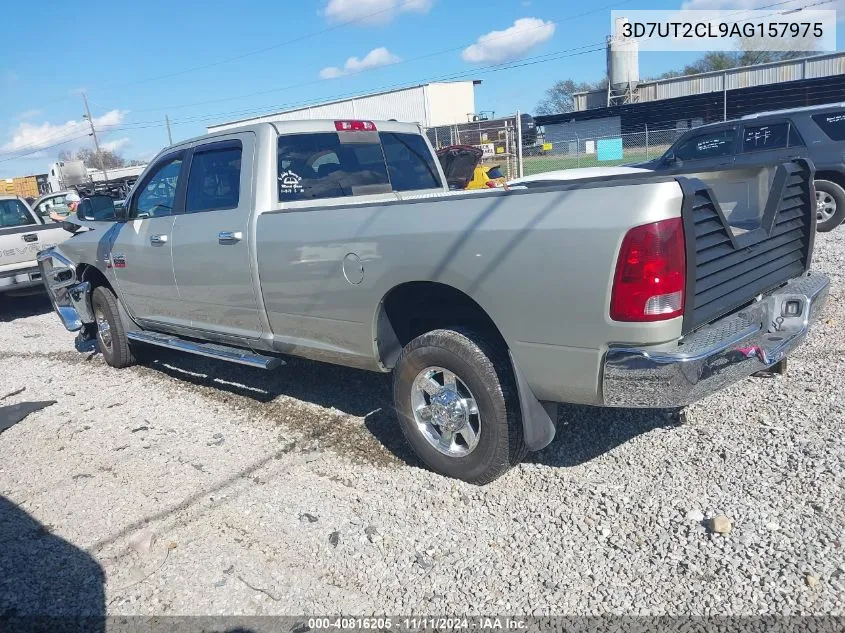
(476, 623)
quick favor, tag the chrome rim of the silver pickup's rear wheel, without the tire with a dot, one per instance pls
(445, 411)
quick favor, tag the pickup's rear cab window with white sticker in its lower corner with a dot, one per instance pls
(346, 163)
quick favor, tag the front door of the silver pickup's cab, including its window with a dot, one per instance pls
(141, 253)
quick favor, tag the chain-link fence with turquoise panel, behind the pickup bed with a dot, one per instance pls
(596, 151)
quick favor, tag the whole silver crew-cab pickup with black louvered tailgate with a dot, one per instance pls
(340, 241)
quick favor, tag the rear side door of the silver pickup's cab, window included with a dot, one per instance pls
(211, 239)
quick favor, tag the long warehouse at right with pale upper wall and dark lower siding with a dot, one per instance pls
(682, 102)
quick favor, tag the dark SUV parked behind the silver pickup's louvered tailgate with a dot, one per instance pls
(816, 132)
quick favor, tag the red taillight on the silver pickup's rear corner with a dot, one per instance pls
(650, 279)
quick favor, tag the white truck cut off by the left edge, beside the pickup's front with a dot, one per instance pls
(23, 234)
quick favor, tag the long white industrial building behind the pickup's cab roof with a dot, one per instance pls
(430, 105)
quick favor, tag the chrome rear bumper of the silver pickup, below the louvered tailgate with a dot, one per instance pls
(717, 355)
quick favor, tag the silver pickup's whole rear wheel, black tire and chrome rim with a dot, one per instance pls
(455, 395)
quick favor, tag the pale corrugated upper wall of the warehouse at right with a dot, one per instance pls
(735, 79)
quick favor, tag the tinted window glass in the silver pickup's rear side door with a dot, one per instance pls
(215, 180)
